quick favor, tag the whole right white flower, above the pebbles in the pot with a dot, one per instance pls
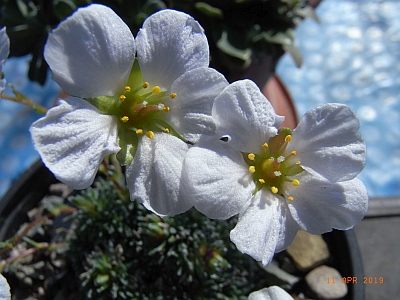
(278, 182)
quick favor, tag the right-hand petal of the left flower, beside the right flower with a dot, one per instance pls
(190, 113)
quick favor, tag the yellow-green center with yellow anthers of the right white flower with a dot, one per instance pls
(275, 166)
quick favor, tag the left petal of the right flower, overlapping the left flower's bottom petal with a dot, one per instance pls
(216, 178)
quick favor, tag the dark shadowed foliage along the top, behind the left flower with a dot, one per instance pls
(239, 31)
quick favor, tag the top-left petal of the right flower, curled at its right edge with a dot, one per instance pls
(242, 112)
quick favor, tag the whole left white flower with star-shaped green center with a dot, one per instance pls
(143, 109)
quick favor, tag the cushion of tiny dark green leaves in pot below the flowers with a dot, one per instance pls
(123, 251)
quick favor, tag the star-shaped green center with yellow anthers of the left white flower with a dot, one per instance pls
(138, 109)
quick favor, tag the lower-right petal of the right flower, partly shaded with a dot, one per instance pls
(320, 205)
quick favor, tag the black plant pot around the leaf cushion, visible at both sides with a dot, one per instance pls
(34, 184)
